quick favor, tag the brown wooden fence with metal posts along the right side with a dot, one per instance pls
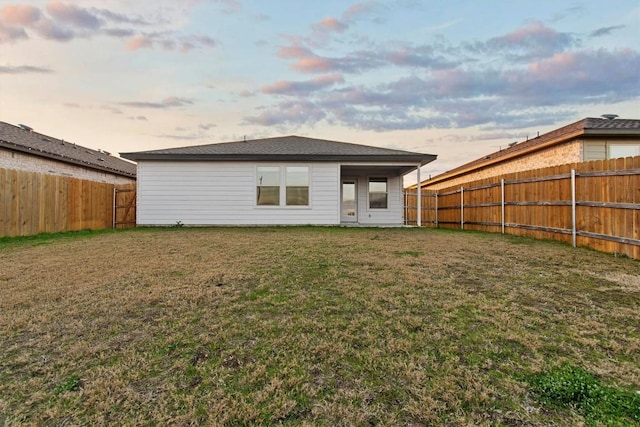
(594, 204)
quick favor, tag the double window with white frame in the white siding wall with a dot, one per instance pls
(290, 188)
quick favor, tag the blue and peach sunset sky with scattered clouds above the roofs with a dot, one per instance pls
(456, 78)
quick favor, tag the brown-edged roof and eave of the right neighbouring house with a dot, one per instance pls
(589, 127)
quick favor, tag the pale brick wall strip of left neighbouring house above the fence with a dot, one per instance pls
(20, 161)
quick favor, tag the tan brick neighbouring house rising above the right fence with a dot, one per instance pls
(585, 140)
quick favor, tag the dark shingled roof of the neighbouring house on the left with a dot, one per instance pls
(25, 140)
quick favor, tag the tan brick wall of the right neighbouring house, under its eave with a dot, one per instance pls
(569, 152)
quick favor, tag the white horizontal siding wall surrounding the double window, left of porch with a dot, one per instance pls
(224, 193)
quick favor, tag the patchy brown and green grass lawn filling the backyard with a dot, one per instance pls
(315, 326)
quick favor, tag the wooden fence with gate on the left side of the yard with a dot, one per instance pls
(33, 203)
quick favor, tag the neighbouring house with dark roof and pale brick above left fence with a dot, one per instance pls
(24, 149)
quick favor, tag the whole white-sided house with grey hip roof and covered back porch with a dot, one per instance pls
(274, 181)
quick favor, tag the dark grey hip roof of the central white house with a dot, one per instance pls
(294, 148)
